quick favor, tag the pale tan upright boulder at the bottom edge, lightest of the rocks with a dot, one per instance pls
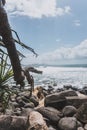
(36, 121)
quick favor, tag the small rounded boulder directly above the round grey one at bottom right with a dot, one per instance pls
(69, 111)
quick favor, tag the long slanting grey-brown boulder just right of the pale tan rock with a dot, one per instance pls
(50, 113)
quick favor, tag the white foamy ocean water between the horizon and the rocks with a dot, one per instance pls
(58, 76)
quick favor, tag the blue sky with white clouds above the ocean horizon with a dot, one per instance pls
(55, 29)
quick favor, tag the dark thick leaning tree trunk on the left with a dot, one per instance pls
(5, 32)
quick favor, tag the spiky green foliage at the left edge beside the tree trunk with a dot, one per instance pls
(6, 74)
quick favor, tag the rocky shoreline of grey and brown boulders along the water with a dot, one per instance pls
(63, 109)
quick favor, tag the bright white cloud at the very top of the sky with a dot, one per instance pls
(36, 8)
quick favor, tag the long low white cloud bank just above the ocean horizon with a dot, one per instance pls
(78, 52)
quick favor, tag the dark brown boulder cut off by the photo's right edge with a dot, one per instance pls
(81, 114)
